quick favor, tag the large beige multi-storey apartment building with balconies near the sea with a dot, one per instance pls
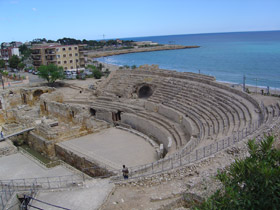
(67, 56)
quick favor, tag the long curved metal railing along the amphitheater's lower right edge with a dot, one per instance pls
(189, 155)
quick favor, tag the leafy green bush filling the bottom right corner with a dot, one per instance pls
(252, 183)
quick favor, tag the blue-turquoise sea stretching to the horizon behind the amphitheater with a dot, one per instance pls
(227, 56)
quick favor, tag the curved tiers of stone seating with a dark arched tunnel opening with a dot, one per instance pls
(183, 104)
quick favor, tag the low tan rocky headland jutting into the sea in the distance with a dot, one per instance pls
(97, 54)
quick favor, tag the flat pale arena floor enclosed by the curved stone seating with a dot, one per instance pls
(114, 147)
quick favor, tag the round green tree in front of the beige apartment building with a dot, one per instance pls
(51, 73)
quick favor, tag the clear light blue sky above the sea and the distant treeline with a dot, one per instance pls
(25, 20)
